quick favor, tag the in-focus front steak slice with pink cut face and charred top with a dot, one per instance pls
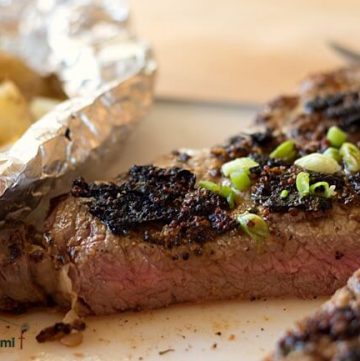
(152, 237)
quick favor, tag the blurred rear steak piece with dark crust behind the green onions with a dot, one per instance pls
(324, 99)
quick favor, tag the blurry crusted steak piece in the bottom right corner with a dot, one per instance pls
(331, 334)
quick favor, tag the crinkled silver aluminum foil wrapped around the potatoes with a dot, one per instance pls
(106, 72)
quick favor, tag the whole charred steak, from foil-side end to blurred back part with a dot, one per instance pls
(155, 236)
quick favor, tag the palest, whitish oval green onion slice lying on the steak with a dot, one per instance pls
(317, 162)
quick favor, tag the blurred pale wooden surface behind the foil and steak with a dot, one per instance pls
(242, 51)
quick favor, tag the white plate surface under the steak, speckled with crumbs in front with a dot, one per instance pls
(234, 330)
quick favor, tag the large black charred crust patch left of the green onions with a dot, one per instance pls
(165, 199)
